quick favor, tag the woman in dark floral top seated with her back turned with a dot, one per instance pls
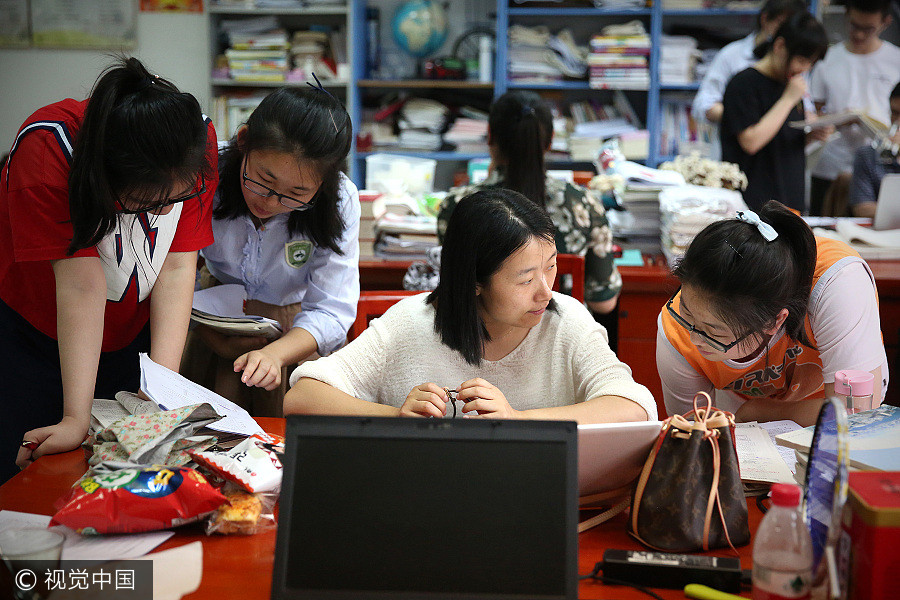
(520, 128)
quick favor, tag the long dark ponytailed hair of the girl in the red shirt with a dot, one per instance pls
(140, 138)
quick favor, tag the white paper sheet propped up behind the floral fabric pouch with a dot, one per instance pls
(171, 390)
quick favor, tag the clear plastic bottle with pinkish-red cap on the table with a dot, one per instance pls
(782, 550)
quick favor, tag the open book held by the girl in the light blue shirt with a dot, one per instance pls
(222, 308)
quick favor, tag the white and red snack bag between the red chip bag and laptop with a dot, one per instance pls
(253, 464)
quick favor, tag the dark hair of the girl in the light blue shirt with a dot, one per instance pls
(310, 125)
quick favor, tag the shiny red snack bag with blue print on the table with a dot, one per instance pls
(132, 500)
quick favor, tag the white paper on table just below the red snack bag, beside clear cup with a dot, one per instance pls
(79, 547)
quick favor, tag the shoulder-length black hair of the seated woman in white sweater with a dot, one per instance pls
(485, 229)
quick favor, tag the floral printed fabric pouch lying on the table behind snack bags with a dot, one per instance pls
(155, 438)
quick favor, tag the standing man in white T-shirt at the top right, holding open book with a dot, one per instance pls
(856, 74)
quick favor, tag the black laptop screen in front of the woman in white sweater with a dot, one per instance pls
(376, 508)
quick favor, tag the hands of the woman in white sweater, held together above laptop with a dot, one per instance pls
(479, 399)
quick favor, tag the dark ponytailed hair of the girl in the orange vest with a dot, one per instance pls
(747, 280)
